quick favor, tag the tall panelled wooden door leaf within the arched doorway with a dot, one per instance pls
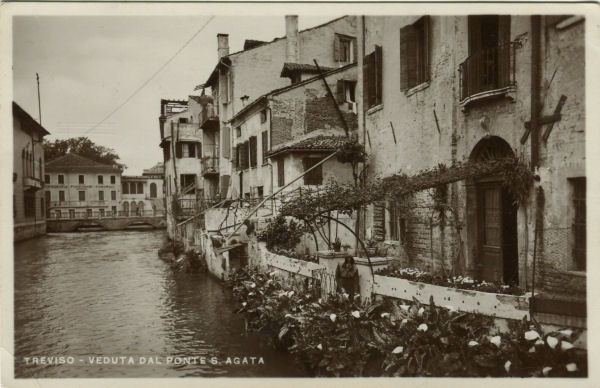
(490, 232)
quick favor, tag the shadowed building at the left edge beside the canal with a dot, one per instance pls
(29, 205)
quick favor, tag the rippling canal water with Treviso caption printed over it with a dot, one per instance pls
(104, 305)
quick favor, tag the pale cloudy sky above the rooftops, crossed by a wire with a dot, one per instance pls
(89, 65)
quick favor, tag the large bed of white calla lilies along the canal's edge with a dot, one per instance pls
(343, 337)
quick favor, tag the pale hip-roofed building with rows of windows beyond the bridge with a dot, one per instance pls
(77, 187)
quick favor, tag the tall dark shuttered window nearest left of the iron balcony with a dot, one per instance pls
(414, 54)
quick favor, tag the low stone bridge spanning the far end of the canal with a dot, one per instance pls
(104, 223)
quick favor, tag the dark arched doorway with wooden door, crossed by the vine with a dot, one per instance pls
(494, 218)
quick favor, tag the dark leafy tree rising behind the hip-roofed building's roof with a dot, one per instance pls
(81, 146)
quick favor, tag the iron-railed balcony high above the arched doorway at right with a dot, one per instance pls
(488, 73)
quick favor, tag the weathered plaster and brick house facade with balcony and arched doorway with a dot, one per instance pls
(474, 88)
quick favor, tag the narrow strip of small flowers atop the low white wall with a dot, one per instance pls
(459, 282)
